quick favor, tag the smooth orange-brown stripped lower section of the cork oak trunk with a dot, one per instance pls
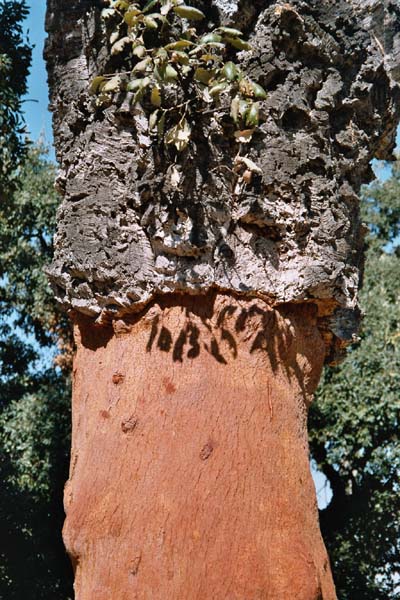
(190, 477)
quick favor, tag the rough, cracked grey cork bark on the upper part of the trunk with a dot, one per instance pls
(294, 234)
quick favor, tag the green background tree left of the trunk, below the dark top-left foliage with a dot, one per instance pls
(34, 394)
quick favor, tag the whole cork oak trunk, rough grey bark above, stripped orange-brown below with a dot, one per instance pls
(204, 311)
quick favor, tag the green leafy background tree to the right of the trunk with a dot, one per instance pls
(355, 421)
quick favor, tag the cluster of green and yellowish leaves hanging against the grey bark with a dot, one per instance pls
(175, 70)
